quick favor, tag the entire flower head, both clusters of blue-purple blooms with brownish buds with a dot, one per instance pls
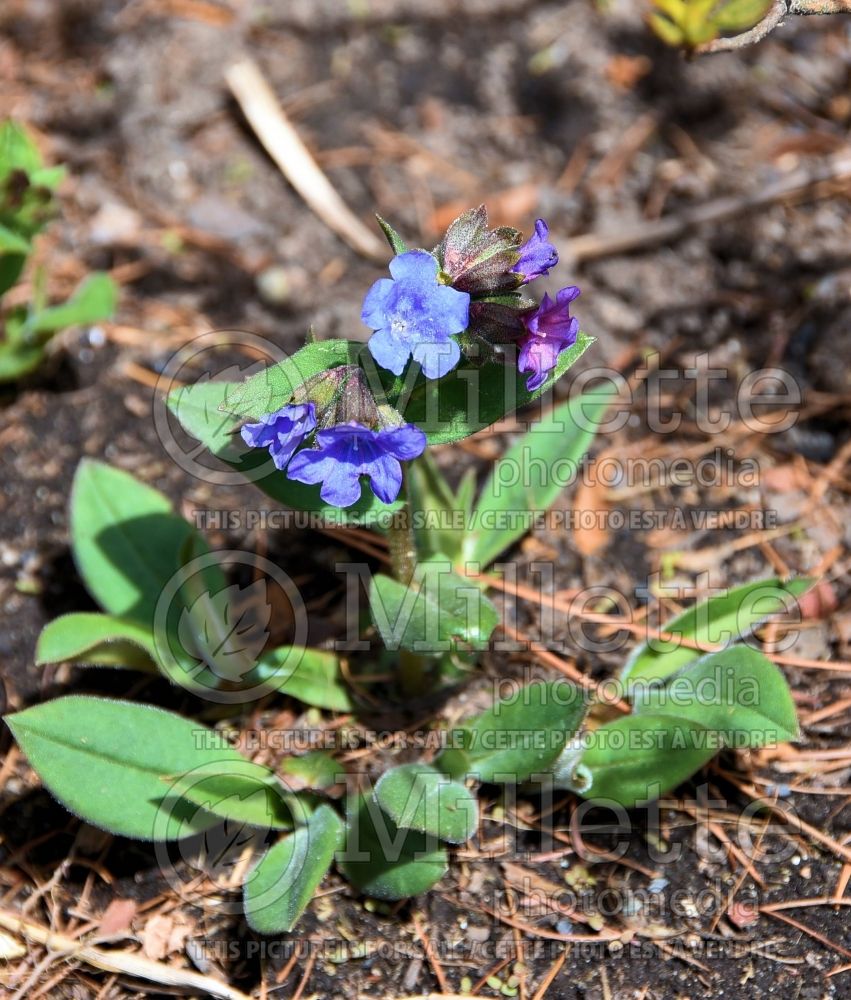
(463, 298)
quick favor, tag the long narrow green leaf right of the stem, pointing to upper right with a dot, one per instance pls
(531, 475)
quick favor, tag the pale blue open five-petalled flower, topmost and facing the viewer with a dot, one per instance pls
(413, 315)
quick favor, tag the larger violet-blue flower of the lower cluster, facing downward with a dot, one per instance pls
(348, 451)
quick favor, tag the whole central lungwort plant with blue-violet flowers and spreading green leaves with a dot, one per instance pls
(341, 430)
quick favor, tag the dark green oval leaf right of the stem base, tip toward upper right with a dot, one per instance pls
(520, 736)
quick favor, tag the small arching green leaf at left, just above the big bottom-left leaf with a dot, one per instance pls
(98, 640)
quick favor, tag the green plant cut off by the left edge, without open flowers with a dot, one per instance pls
(27, 203)
